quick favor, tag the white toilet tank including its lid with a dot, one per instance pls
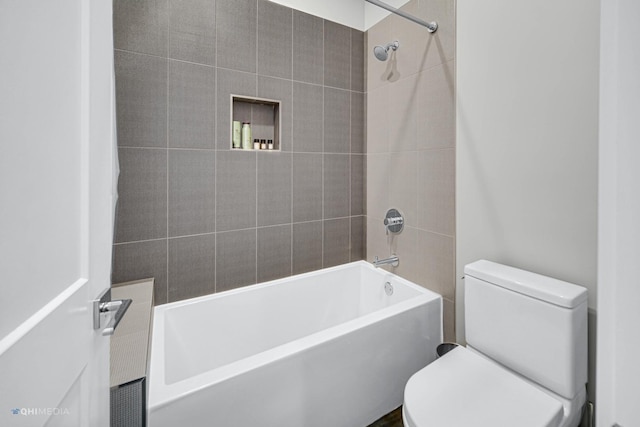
(532, 324)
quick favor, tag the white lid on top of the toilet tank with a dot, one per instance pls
(554, 291)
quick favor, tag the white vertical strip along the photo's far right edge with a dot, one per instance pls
(619, 210)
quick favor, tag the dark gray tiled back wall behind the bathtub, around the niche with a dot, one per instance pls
(192, 213)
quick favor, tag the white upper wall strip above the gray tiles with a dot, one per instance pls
(357, 14)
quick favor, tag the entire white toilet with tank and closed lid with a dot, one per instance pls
(525, 363)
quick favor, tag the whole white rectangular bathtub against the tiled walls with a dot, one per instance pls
(327, 348)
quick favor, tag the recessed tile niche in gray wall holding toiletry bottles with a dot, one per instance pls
(262, 114)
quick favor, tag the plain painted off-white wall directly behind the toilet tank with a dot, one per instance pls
(527, 135)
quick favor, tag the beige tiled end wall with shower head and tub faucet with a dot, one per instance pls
(411, 147)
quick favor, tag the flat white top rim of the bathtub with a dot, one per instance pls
(161, 394)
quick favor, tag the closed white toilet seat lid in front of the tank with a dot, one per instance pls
(464, 389)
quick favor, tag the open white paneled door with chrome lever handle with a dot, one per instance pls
(56, 157)
